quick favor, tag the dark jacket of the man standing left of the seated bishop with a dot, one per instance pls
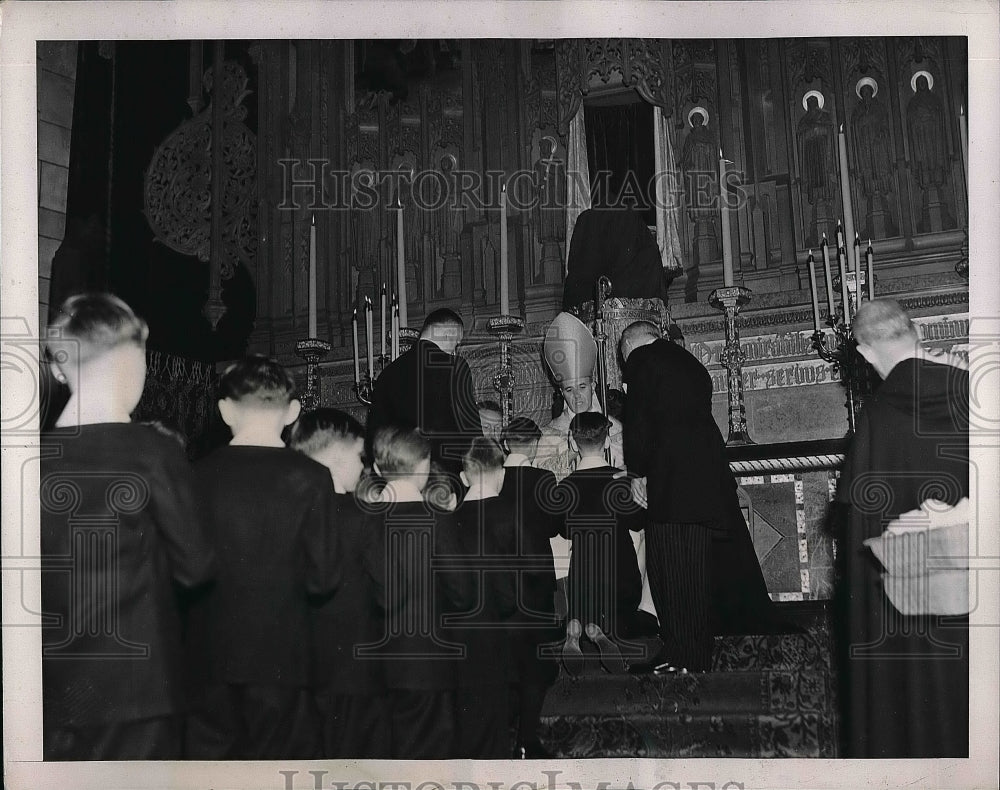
(433, 391)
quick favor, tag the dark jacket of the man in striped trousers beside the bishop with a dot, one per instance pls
(671, 437)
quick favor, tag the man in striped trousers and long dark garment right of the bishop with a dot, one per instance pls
(703, 572)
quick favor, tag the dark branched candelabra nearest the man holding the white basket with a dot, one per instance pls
(843, 352)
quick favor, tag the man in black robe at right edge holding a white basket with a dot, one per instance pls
(905, 690)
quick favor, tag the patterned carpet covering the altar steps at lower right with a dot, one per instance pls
(768, 696)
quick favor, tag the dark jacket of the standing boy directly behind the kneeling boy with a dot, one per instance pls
(533, 496)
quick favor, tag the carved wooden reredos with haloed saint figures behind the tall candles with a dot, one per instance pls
(774, 106)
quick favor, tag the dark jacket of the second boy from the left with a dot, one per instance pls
(269, 512)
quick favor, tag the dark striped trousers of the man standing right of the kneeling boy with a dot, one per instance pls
(680, 582)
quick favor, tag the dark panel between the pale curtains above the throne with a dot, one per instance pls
(620, 141)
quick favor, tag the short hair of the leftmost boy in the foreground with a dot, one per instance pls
(97, 322)
